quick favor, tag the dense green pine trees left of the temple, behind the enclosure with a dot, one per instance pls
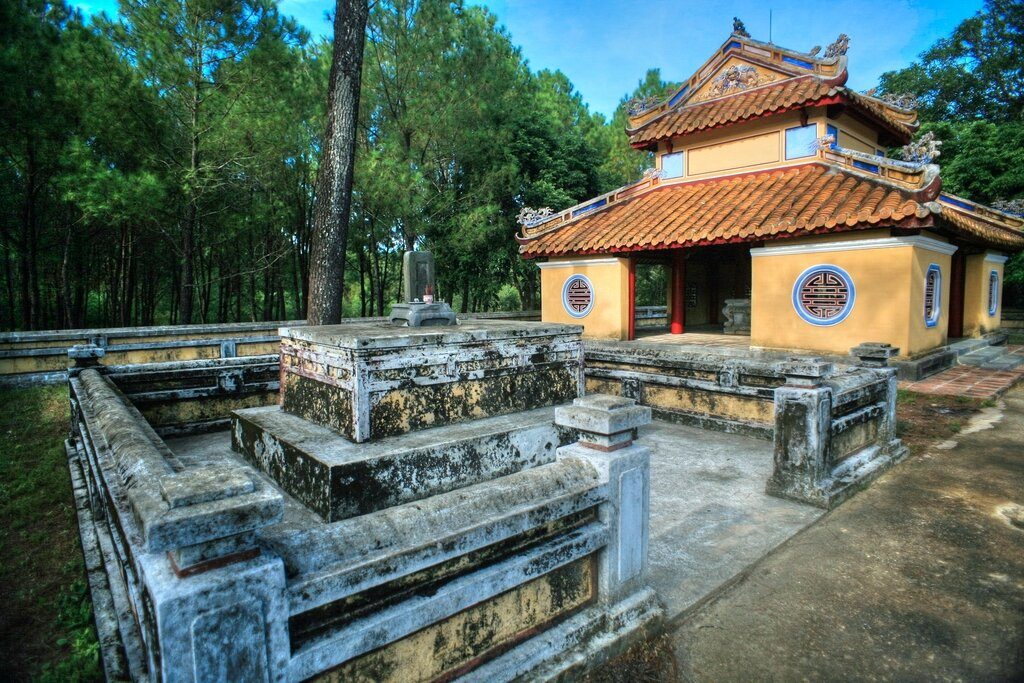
(161, 169)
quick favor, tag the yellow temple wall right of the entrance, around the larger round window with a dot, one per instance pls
(888, 279)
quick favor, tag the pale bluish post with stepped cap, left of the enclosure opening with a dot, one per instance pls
(608, 428)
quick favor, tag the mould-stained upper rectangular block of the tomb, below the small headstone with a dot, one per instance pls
(369, 381)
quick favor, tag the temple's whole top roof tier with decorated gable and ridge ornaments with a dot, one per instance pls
(748, 79)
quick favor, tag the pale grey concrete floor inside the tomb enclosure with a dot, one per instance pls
(710, 517)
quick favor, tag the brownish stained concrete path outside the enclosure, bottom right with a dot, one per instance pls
(921, 577)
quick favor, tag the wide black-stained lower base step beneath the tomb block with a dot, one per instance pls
(338, 480)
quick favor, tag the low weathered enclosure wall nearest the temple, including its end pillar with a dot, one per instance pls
(833, 425)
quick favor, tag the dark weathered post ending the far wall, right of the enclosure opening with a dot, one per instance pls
(803, 423)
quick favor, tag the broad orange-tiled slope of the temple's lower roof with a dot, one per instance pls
(813, 198)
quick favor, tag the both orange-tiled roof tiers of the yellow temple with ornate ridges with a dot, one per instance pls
(835, 190)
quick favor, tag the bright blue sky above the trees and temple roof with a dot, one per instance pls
(606, 47)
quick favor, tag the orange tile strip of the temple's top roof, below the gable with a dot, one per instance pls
(782, 96)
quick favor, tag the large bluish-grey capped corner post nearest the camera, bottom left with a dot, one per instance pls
(218, 600)
